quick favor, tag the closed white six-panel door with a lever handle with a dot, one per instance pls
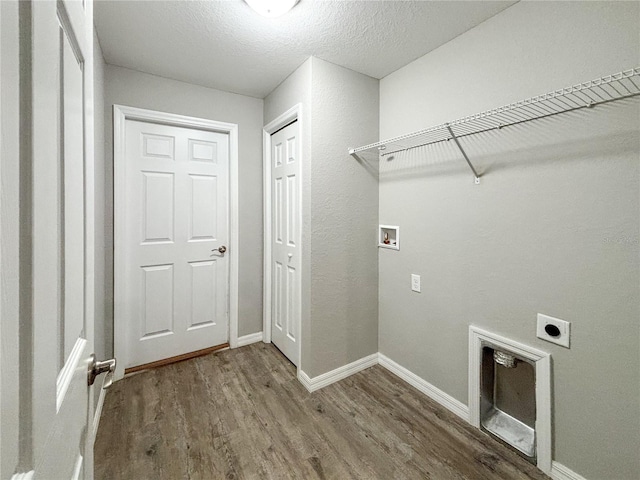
(175, 292)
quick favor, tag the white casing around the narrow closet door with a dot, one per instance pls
(291, 115)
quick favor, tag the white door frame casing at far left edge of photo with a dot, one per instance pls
(10, 219)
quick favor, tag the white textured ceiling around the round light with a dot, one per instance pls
(224, 44)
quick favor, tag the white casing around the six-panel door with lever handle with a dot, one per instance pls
(121, 114)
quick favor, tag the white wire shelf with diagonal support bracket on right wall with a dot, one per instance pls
(589, 94)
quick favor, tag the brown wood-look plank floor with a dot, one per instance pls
(242, 414)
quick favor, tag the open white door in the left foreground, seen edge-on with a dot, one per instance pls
(60, 226)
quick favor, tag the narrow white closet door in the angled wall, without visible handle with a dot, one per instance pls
(285, 241)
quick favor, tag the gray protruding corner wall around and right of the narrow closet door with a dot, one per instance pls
(340, 197)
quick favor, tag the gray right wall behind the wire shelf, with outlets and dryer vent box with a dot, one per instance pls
(553, 228)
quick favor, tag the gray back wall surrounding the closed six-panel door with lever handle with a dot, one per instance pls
(135, 89)
